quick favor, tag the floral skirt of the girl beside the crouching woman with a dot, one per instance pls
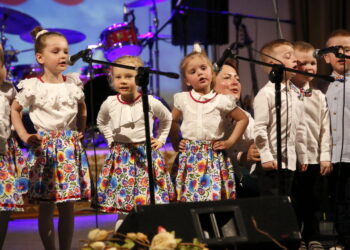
(203, 174)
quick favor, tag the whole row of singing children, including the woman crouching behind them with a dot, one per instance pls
(213, 135)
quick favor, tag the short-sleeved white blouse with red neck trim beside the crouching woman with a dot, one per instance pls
(203, 116)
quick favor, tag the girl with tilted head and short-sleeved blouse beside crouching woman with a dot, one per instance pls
(204, 172)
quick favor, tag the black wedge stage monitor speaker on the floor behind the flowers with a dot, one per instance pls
(222, 224)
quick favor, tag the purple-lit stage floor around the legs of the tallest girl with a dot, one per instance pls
(23, 233)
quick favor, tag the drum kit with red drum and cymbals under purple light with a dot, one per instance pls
(116, 40)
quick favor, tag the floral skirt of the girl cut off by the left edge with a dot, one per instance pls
(13, 178)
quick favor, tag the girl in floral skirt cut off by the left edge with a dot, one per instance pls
(13, 168)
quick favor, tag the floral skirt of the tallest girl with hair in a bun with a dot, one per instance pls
(59, 170)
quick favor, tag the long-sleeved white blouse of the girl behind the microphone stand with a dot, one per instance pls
(124, 123)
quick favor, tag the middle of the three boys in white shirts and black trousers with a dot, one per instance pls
(308, 185)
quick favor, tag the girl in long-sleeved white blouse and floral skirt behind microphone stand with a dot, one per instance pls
(123, 181)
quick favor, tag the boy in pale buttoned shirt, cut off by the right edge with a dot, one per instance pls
(338, 98)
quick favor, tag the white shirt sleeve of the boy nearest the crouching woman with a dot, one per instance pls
(262, 120)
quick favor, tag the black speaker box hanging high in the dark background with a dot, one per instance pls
(198, 23)
